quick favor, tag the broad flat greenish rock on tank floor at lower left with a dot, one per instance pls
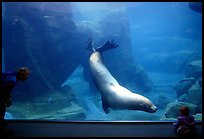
(47, 106)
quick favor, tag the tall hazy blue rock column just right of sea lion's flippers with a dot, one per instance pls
(125, 68)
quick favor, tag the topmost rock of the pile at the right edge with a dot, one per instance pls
(194, 69)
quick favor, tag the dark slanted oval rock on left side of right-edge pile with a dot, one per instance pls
(183, 85)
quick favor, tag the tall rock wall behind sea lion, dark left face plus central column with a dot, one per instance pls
(44, 37)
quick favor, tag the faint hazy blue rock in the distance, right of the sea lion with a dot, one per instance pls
(179, 59)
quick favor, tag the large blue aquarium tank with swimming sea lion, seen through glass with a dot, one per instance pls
(104, 61)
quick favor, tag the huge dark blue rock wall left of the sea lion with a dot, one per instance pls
(43, 40)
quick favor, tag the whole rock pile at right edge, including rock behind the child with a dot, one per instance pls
(189, 91)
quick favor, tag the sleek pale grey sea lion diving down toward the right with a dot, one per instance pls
(112, 93)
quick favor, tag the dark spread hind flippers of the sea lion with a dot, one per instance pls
(106, 46)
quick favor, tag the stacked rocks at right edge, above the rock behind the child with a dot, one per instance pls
(189, 89)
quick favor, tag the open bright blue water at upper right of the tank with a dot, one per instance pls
(164, 27)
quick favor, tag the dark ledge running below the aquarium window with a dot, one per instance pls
(38, 128)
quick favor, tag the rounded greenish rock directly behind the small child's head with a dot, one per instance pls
(172, 109)
